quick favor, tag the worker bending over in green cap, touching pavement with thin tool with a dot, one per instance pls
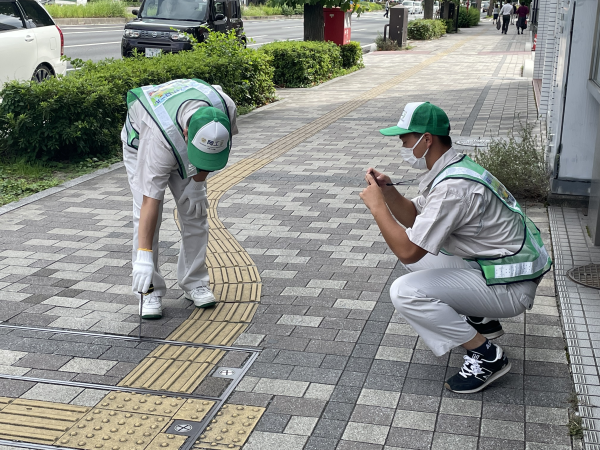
(174, 135)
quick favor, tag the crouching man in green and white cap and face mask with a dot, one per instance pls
(469, 248)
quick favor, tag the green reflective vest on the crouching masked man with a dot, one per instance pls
(531, 261)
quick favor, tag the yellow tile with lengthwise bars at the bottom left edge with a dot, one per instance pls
(37, 421)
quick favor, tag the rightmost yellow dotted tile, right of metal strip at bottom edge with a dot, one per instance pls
(231, 427)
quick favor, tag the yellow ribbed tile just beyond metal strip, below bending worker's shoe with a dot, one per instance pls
(213, 333)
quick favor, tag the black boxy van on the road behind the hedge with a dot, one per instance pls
(160, 24)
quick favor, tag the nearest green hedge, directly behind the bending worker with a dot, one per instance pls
(81, 115)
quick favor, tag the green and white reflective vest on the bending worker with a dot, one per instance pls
(162, 102)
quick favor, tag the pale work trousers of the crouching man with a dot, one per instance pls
(440, 288)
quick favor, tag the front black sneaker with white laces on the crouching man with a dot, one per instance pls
(476, 372)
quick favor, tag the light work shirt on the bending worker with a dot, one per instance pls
(155, 159)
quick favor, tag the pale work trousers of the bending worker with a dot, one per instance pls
(191, 264)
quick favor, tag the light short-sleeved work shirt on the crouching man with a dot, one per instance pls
(463, 217)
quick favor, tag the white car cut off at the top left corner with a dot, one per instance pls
(30, 42)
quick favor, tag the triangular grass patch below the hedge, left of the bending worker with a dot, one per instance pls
(19, 178)
